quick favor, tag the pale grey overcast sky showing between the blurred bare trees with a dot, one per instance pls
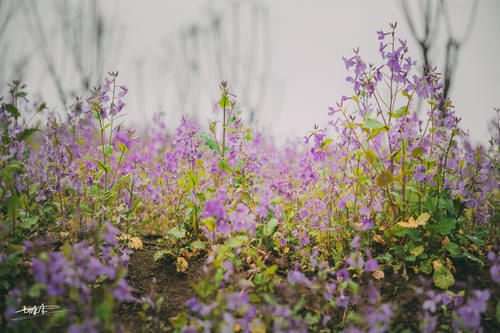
(307, 41)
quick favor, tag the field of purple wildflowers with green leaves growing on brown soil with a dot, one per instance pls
(386, 220)
